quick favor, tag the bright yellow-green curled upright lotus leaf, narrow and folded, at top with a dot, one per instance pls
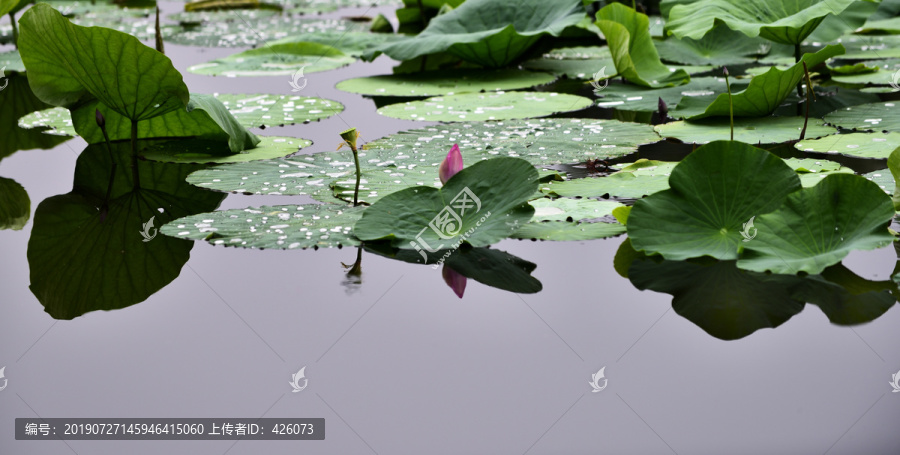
(636, 59)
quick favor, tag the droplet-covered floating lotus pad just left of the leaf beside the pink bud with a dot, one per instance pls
(280, 227)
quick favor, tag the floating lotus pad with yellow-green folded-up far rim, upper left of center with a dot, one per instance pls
(276, 60)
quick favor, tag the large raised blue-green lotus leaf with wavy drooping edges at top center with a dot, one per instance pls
(488, 32)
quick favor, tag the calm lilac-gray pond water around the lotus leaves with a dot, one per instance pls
(403, 366)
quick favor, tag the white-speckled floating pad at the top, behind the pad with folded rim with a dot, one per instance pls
(251, 33)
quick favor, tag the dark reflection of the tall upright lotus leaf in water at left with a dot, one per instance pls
(83, 254)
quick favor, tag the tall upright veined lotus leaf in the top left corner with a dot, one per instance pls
(69, 65)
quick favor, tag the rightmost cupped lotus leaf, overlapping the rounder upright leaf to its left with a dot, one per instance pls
(818, 226)
